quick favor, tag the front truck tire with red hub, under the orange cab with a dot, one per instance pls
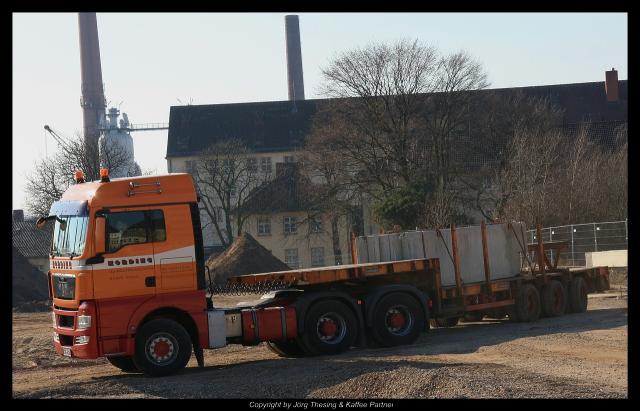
(163, 347)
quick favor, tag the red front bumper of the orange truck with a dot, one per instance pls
(66, 323)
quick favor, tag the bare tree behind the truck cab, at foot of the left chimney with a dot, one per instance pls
(53, 175)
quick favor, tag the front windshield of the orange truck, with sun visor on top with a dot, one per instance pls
(69, 237)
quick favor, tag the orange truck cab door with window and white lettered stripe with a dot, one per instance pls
(129, 267)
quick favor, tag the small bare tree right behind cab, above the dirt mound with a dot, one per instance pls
(225, 174)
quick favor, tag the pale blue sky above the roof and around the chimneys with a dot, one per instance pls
(149, 60)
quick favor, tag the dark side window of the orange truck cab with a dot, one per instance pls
(134, 227)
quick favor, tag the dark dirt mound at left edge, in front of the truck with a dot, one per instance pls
(29, 283)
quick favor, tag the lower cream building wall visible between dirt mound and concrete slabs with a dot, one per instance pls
(278, 242)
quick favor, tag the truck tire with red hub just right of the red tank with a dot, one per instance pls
(330, 327)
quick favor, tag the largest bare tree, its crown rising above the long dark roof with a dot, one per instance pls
(395, 110)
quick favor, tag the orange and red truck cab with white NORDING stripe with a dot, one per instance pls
(125, 251)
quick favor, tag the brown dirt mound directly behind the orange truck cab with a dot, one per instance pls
(244, 256)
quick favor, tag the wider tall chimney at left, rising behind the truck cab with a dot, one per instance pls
(92, 101)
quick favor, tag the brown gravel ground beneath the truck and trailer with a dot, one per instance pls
(574, 356)
